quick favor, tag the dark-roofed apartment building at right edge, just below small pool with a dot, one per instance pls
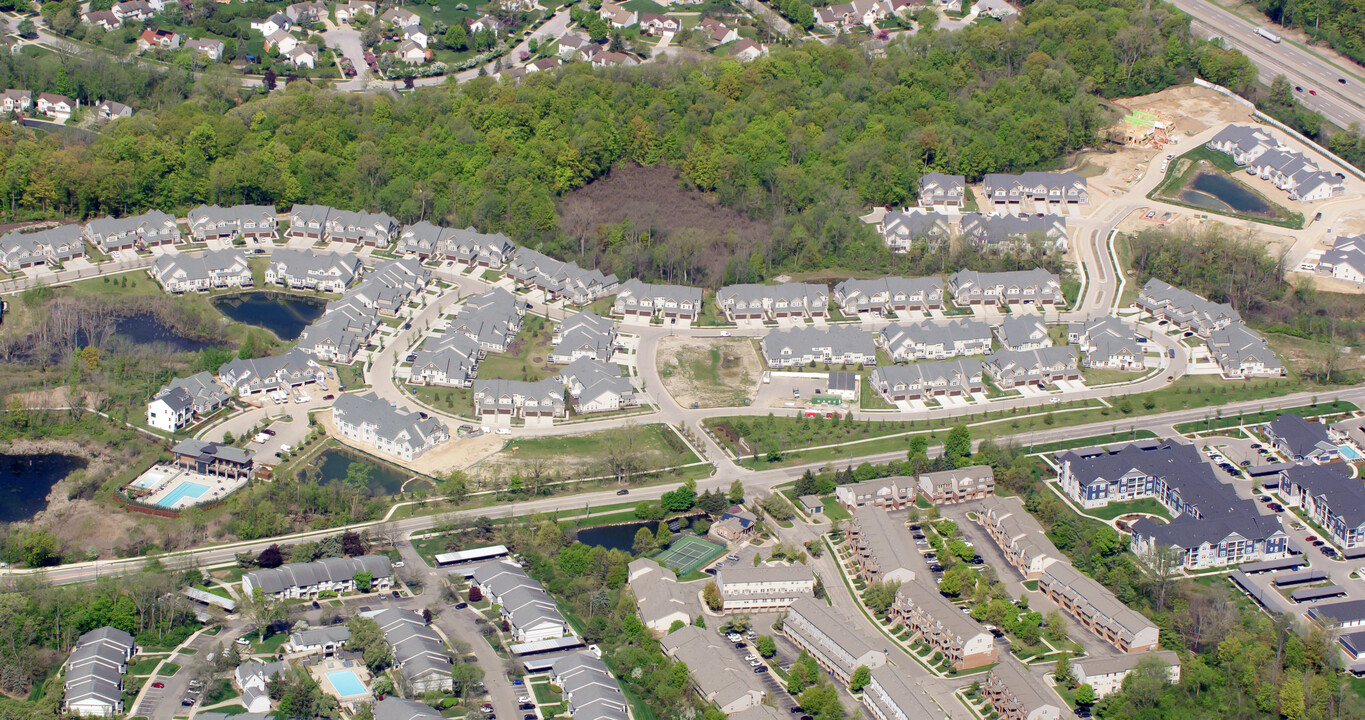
(1332, 498)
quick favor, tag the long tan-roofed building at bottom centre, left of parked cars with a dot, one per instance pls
(719, 673)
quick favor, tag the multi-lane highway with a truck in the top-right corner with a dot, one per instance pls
(1342, 105)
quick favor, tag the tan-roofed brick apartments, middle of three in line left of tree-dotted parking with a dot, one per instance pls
(944, 626)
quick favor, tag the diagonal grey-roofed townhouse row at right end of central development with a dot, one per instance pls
(1239, 350)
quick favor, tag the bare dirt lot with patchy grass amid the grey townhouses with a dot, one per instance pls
(712, 372)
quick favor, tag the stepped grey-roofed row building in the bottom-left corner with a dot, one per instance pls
(94, 684)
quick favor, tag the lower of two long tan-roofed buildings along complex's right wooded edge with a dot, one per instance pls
(1097, 609)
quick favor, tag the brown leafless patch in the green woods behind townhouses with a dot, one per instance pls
(653, 200)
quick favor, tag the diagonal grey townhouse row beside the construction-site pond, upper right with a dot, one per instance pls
(1288, 170)
